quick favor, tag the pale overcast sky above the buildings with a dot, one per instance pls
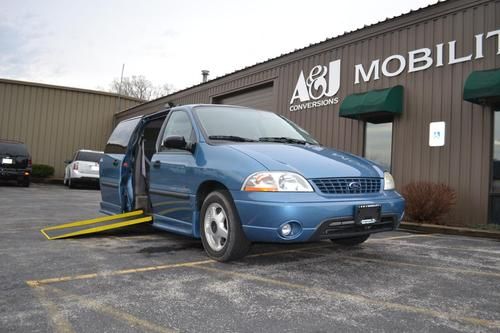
(84, 43)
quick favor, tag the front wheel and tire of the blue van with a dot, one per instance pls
(220, 228)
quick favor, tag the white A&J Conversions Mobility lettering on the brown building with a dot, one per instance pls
(323, 82)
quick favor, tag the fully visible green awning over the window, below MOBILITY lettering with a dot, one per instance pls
(376, 106)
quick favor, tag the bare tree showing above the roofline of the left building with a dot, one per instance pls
(139, 87)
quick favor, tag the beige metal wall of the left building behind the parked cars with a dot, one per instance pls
(56, 121)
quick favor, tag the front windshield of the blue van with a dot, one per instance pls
(248, 125)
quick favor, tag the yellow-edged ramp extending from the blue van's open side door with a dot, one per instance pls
(137, 213)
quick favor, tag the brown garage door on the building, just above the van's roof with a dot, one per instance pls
(259, 98)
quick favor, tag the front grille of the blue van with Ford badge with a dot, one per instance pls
(358, 185)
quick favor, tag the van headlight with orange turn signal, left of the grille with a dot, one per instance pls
(274, 181)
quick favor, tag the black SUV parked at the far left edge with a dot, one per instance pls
(15, 162)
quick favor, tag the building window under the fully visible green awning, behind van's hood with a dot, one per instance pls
(378, 143)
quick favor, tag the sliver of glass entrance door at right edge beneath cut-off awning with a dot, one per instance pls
(495, 172)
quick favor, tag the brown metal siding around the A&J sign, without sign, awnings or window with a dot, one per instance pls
(434, 94)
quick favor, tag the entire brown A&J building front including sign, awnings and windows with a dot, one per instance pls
(417, 93)
